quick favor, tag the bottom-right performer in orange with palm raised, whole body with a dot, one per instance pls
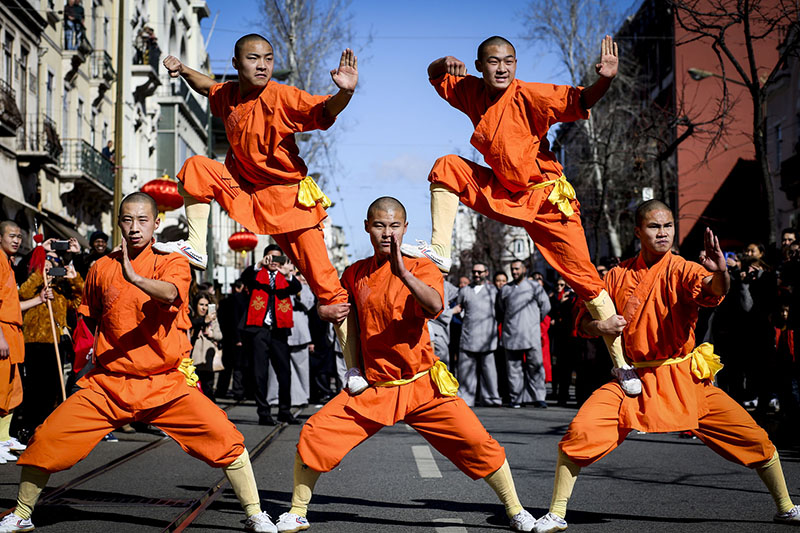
(660, 294)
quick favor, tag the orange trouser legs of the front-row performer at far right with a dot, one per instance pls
(727, 429)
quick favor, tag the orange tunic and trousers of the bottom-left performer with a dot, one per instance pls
(139, 346)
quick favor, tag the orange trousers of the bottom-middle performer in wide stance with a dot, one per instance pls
(444, 421)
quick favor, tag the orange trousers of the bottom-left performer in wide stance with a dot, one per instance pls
(76, 426)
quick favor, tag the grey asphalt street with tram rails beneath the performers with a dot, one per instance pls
(393, 483)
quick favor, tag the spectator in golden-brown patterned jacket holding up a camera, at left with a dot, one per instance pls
(42, 383)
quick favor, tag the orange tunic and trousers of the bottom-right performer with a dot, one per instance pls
(661, 304)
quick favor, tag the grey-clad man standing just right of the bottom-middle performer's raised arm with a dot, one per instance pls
(478, 339)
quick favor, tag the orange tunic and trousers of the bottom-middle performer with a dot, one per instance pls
(395, 345)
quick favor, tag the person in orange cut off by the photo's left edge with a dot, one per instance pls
(12, 344)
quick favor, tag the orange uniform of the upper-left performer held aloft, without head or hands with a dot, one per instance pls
(259, 182)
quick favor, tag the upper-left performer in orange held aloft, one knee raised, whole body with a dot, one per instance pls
(264, 184)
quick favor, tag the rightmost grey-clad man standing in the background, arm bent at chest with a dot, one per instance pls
(521, 305)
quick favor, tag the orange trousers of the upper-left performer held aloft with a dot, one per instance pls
(264, 210)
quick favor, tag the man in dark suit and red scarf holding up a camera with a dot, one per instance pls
(268, 323)
